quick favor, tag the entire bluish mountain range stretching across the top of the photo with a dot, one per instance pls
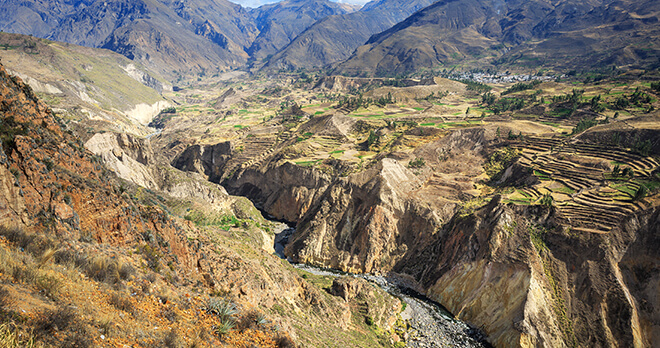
(180, 39)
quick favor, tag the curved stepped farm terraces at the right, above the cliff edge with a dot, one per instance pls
(589, 193)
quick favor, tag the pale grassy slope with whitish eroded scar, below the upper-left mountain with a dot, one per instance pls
(94, 88)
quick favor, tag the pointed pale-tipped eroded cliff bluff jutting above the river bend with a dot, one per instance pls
(364, 223)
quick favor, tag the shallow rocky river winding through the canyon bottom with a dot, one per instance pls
(431, 325)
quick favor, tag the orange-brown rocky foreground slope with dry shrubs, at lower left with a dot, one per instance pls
(90, 259)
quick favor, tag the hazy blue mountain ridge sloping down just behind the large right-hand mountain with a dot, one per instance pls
(334, 38)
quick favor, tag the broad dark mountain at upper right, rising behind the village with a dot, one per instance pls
(567, 34)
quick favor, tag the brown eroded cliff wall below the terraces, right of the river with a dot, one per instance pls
(527, 275)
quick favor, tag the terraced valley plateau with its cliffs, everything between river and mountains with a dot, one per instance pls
(528, 208)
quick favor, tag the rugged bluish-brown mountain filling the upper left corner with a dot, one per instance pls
(175, 38)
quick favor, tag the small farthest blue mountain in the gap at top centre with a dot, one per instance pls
(281, 22)
